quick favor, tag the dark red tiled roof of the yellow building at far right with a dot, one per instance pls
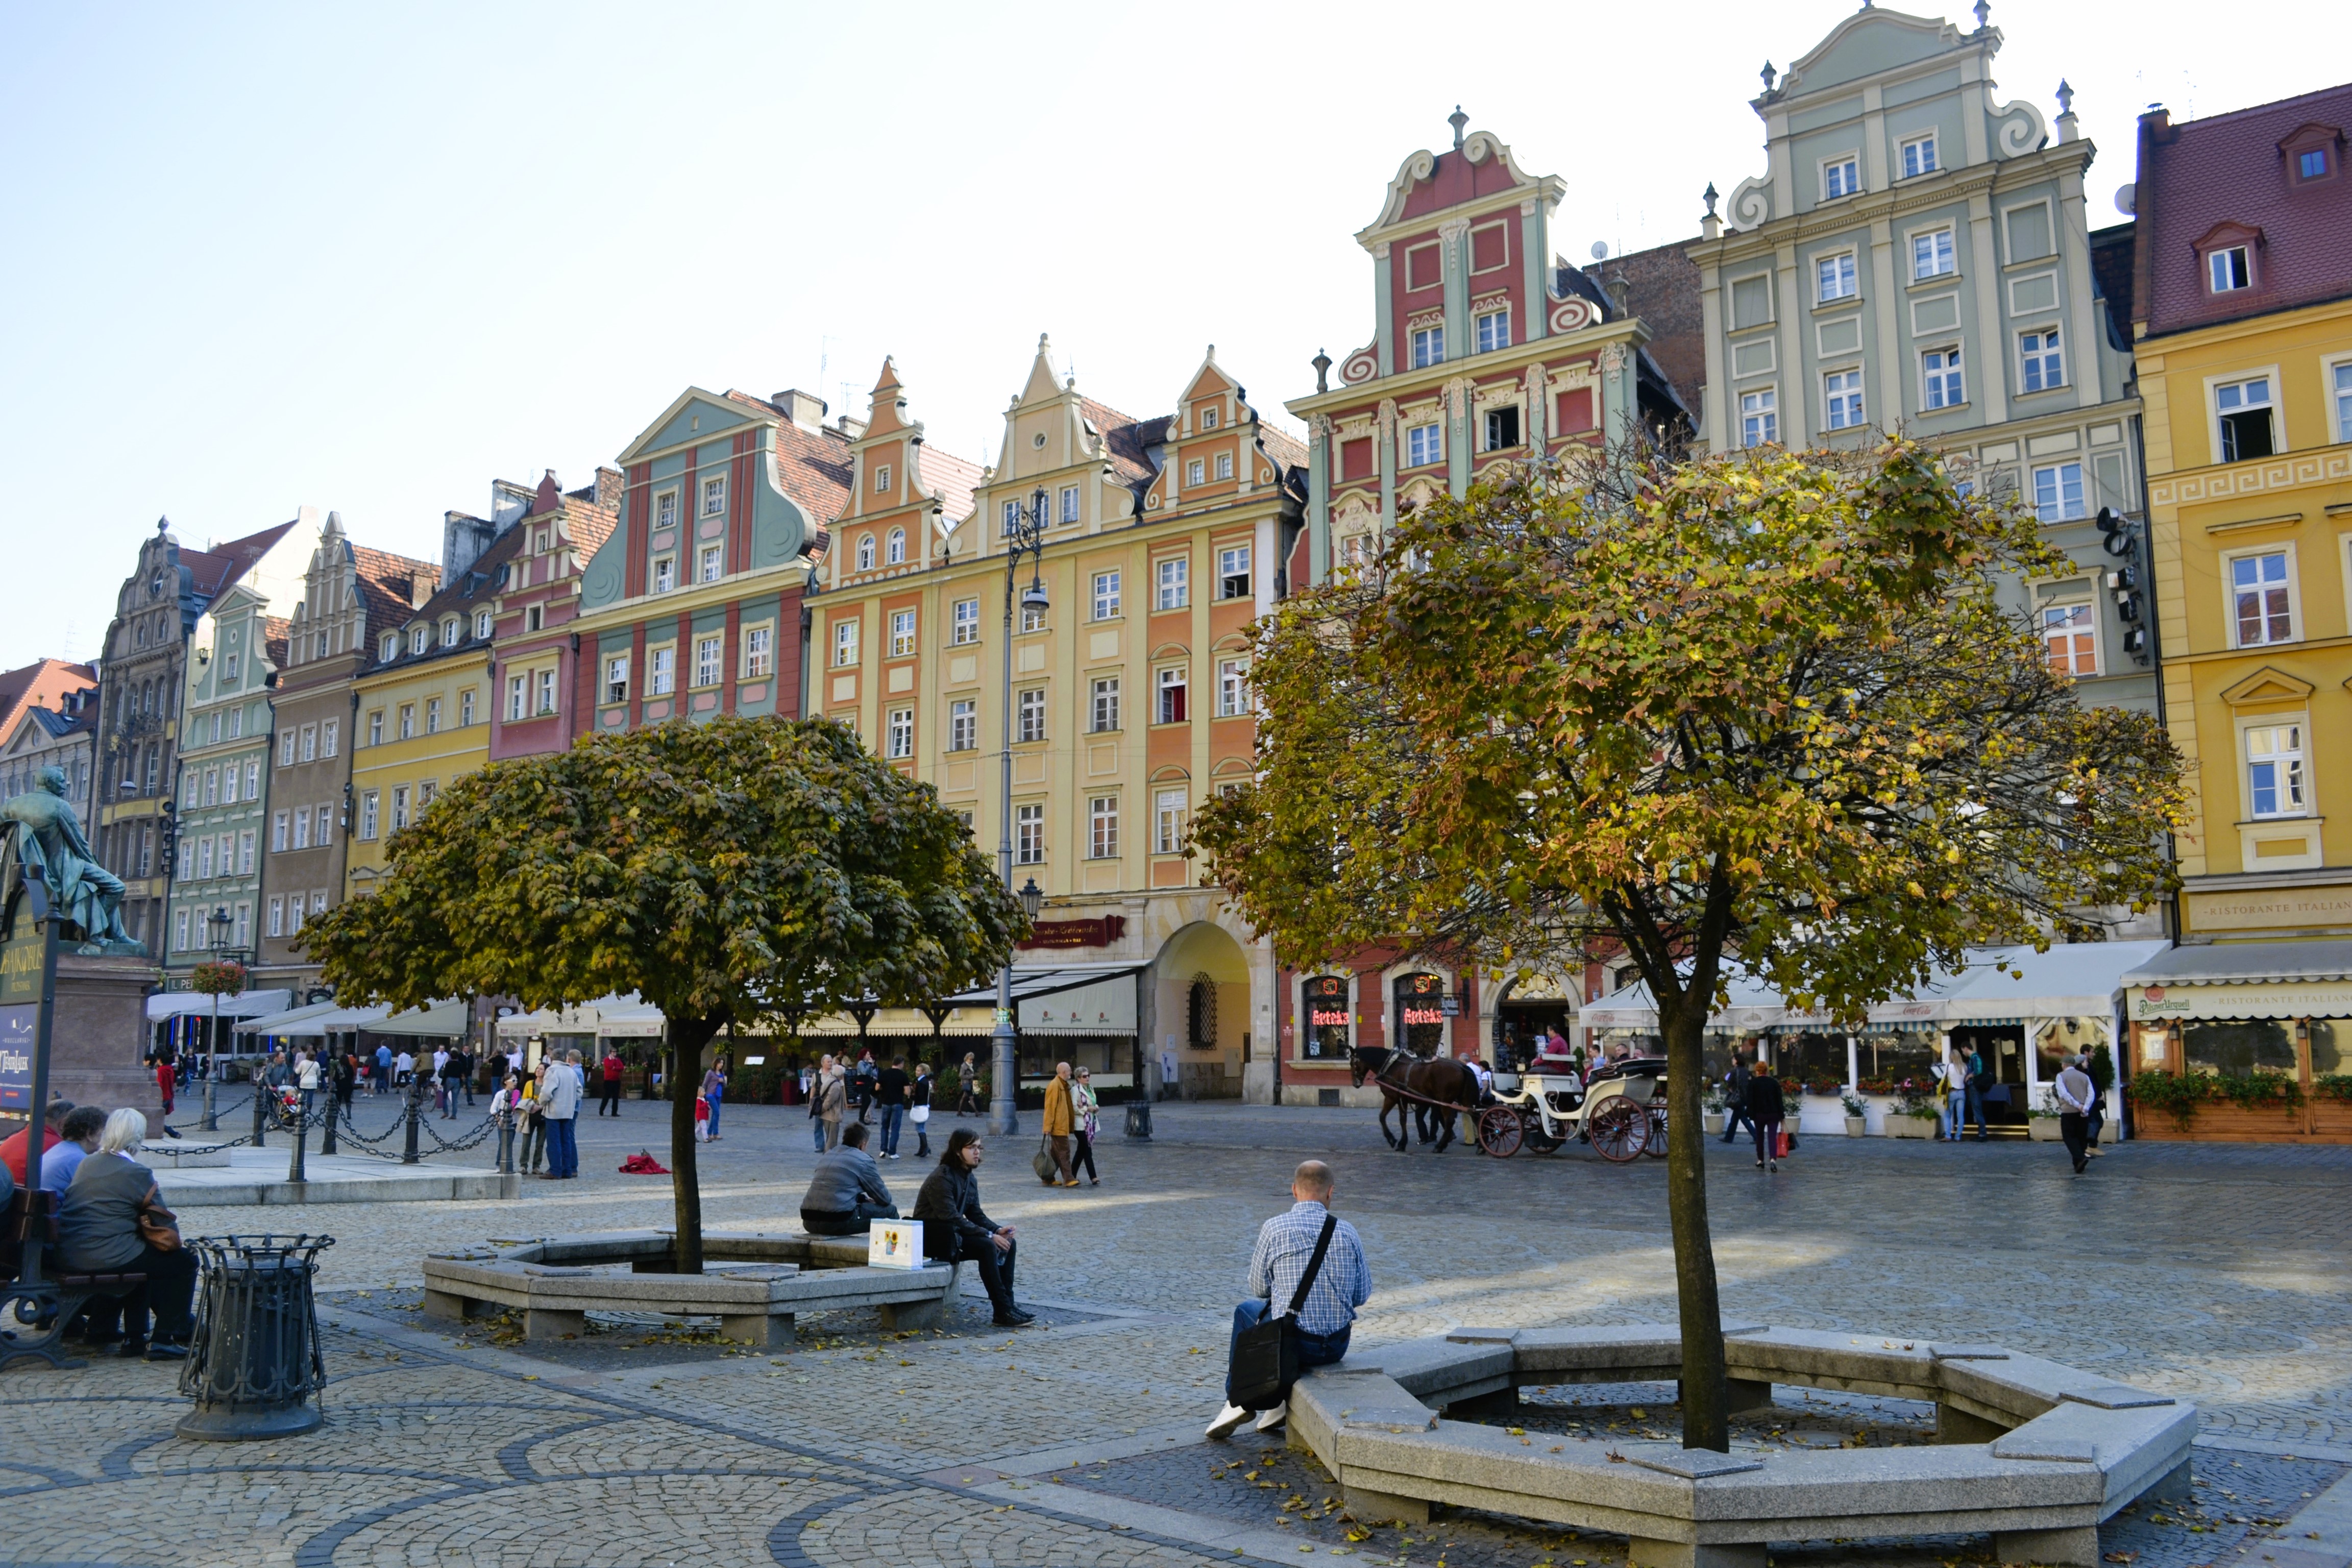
(2233, 170)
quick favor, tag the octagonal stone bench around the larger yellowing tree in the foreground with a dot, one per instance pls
(2029, 1449)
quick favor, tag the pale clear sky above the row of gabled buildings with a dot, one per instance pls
(373, 257)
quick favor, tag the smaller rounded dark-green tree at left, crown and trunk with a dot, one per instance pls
(728, 873)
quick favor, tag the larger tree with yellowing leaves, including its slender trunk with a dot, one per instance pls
(1763, 706)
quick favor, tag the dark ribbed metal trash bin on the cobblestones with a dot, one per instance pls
(255, 1365)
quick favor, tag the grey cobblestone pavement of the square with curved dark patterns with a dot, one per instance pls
(2210, 1271)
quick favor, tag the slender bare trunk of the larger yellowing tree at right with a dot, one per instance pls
(1704, 1398)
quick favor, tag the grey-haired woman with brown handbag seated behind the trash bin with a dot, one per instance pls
(114, 1224)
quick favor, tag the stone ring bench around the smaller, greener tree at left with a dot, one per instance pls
(761, 1285)
